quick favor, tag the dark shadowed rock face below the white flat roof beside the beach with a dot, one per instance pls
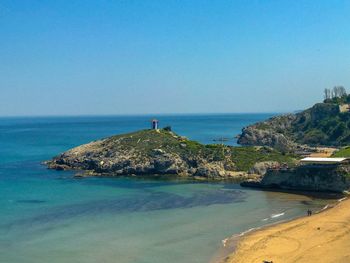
(310, 178)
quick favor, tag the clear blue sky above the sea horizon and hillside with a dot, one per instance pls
(130, 57)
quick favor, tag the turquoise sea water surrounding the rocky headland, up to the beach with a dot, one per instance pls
(49, 216)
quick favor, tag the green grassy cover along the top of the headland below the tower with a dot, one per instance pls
(244, 158)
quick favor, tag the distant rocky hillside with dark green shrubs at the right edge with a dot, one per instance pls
(324, 124)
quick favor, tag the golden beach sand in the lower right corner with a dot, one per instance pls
(322, 237)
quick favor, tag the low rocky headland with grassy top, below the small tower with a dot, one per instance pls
(162, 152)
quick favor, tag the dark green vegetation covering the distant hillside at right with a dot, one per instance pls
(322, 124)
